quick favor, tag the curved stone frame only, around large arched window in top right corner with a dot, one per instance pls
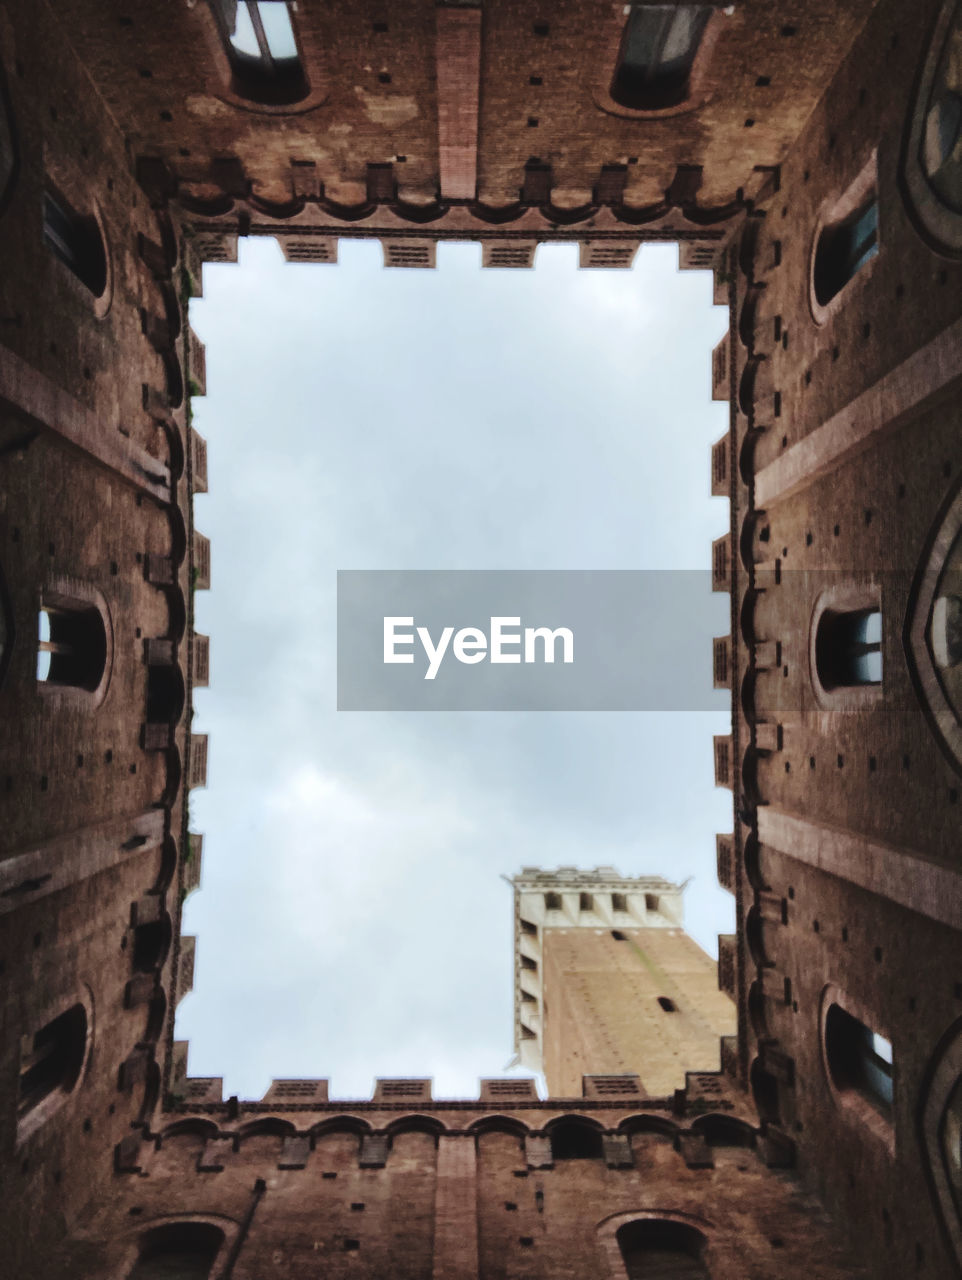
(940, 226)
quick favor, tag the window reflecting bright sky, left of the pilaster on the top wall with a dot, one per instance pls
(262, 47)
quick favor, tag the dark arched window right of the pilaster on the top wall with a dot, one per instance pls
(656, 60)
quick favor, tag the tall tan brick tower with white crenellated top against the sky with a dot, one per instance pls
(607, 982)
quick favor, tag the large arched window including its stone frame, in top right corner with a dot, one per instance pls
(931, 172)
